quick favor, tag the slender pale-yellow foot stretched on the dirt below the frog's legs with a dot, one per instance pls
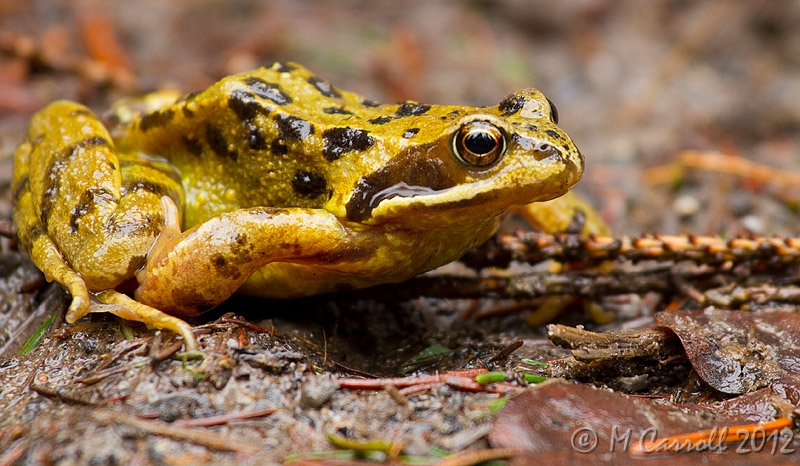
(123, 306)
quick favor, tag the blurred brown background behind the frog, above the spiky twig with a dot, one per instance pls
(670, 101)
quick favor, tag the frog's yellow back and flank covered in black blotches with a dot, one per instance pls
(276, 136)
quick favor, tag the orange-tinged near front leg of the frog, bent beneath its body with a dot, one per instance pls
(198, 269)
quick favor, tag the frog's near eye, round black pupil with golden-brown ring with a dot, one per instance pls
(479, 143)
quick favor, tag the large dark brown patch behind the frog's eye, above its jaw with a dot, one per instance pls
(415, 171)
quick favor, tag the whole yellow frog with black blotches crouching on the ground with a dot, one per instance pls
(273, 183)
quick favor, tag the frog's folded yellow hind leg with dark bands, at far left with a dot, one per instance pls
(87, 218)
